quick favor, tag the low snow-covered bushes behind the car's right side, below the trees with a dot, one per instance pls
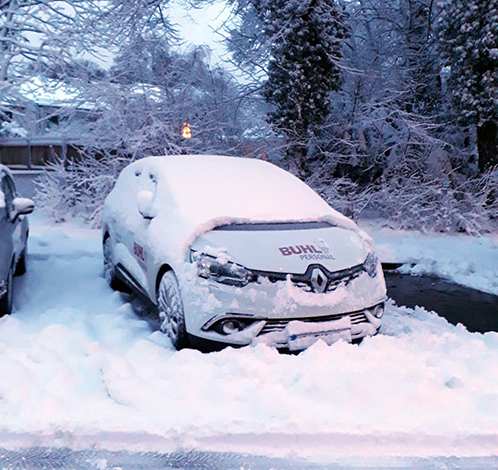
(421, 204)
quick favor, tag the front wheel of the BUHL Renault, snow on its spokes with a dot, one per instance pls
(171, 313)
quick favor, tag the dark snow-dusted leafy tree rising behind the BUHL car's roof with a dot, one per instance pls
(303, 69)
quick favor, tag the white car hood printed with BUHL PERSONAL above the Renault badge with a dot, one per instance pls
(285, 250)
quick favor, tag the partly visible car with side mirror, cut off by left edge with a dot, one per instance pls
(13, 237)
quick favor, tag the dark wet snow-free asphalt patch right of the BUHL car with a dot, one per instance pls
(476, 310)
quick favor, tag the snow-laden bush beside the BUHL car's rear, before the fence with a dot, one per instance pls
(68, 188)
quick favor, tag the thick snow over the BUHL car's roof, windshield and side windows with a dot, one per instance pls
(201, 192)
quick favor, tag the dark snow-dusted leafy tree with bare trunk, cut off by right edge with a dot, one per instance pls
(468, 42)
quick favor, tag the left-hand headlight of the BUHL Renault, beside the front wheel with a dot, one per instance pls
(229, 273)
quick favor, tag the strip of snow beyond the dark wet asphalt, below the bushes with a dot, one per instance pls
(469, 261)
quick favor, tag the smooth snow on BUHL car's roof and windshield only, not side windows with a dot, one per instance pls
(211, 186)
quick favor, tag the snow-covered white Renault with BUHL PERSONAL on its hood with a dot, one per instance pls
(236, 251)
